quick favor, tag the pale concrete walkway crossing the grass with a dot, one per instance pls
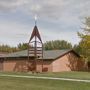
(49, 78)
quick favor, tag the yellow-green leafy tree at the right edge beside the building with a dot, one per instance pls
(84, 45)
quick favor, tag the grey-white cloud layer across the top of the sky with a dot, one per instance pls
(67, 12)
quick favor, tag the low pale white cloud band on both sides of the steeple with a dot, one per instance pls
(13, 33)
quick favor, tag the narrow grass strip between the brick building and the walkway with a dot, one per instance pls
(75, 75)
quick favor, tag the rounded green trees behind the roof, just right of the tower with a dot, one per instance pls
(57, 45)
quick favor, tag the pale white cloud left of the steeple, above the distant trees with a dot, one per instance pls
(13, 33)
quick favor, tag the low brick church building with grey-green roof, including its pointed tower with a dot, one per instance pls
(39, 60)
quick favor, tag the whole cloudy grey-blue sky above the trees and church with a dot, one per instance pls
(57, 19)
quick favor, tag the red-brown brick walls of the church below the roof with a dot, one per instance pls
(67, 62)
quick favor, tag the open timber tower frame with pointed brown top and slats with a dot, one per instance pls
(35, 48)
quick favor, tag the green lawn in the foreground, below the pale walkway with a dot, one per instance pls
(8, 83)
